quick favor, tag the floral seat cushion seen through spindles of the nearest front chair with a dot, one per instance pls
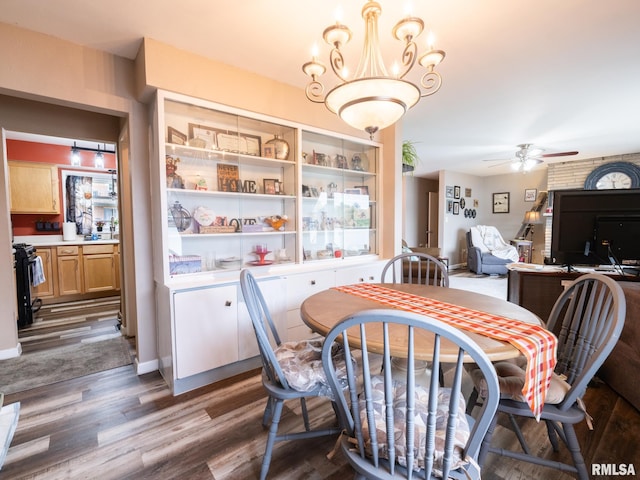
(420, 421)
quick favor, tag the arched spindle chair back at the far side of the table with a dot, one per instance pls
(415, 267)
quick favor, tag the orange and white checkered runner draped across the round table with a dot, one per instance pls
(536, 343)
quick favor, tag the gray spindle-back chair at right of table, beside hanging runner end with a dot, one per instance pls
(587, 318)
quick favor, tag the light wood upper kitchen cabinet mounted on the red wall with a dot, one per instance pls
(34, 187)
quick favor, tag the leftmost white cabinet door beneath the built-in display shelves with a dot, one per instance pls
(206, 329)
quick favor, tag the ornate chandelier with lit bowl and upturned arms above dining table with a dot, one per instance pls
(373, 99)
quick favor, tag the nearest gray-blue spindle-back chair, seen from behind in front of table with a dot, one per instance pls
(393, 425)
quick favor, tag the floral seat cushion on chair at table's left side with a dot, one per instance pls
(301, 363)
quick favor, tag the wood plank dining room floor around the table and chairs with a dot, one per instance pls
(118, 425)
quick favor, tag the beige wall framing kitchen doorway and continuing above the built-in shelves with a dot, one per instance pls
(51, 71)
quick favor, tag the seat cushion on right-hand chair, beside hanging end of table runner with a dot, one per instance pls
(511, 375)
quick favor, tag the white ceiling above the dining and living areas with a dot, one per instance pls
(561, 75)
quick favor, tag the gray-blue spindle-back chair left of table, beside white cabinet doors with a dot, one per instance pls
(283, 369)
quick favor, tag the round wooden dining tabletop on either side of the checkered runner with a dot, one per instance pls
(323, 310)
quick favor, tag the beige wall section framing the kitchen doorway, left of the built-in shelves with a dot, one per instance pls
(97, 93)
